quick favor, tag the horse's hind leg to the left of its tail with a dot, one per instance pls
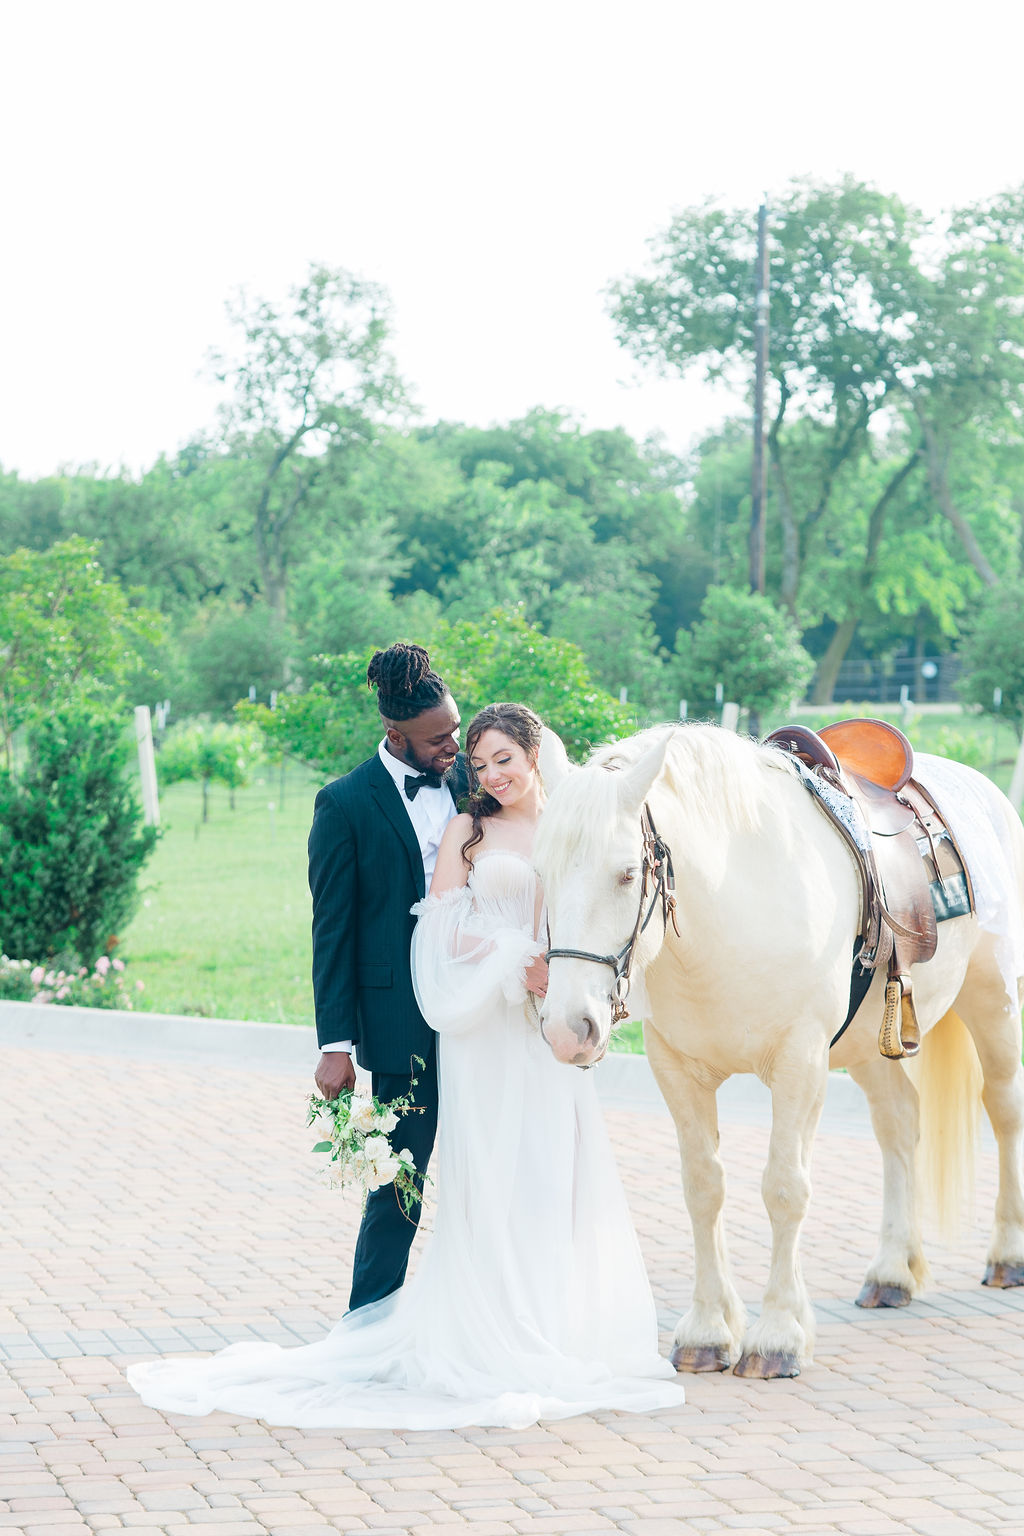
(899, 1270)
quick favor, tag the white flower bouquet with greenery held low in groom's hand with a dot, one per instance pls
(360, 1144)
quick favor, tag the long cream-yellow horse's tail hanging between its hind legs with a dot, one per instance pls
(948, 1078)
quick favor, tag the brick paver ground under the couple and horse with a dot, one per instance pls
(164, 1208)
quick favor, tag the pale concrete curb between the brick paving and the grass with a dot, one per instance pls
(624, 1082)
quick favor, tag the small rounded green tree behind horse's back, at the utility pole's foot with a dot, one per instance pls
(744, 643)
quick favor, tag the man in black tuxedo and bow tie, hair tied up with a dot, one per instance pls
(372, 852)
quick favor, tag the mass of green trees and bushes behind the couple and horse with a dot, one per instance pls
(319, 520)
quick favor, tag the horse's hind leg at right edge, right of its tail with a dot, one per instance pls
(996, 1028)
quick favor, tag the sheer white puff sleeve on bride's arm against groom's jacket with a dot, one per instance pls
(471, 959)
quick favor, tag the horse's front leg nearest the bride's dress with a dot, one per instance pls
(709, 1336)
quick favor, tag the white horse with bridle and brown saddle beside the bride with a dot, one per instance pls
(759, 981)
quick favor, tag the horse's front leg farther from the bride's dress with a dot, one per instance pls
(782, 1339)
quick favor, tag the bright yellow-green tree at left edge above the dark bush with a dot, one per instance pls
(65, 632)
